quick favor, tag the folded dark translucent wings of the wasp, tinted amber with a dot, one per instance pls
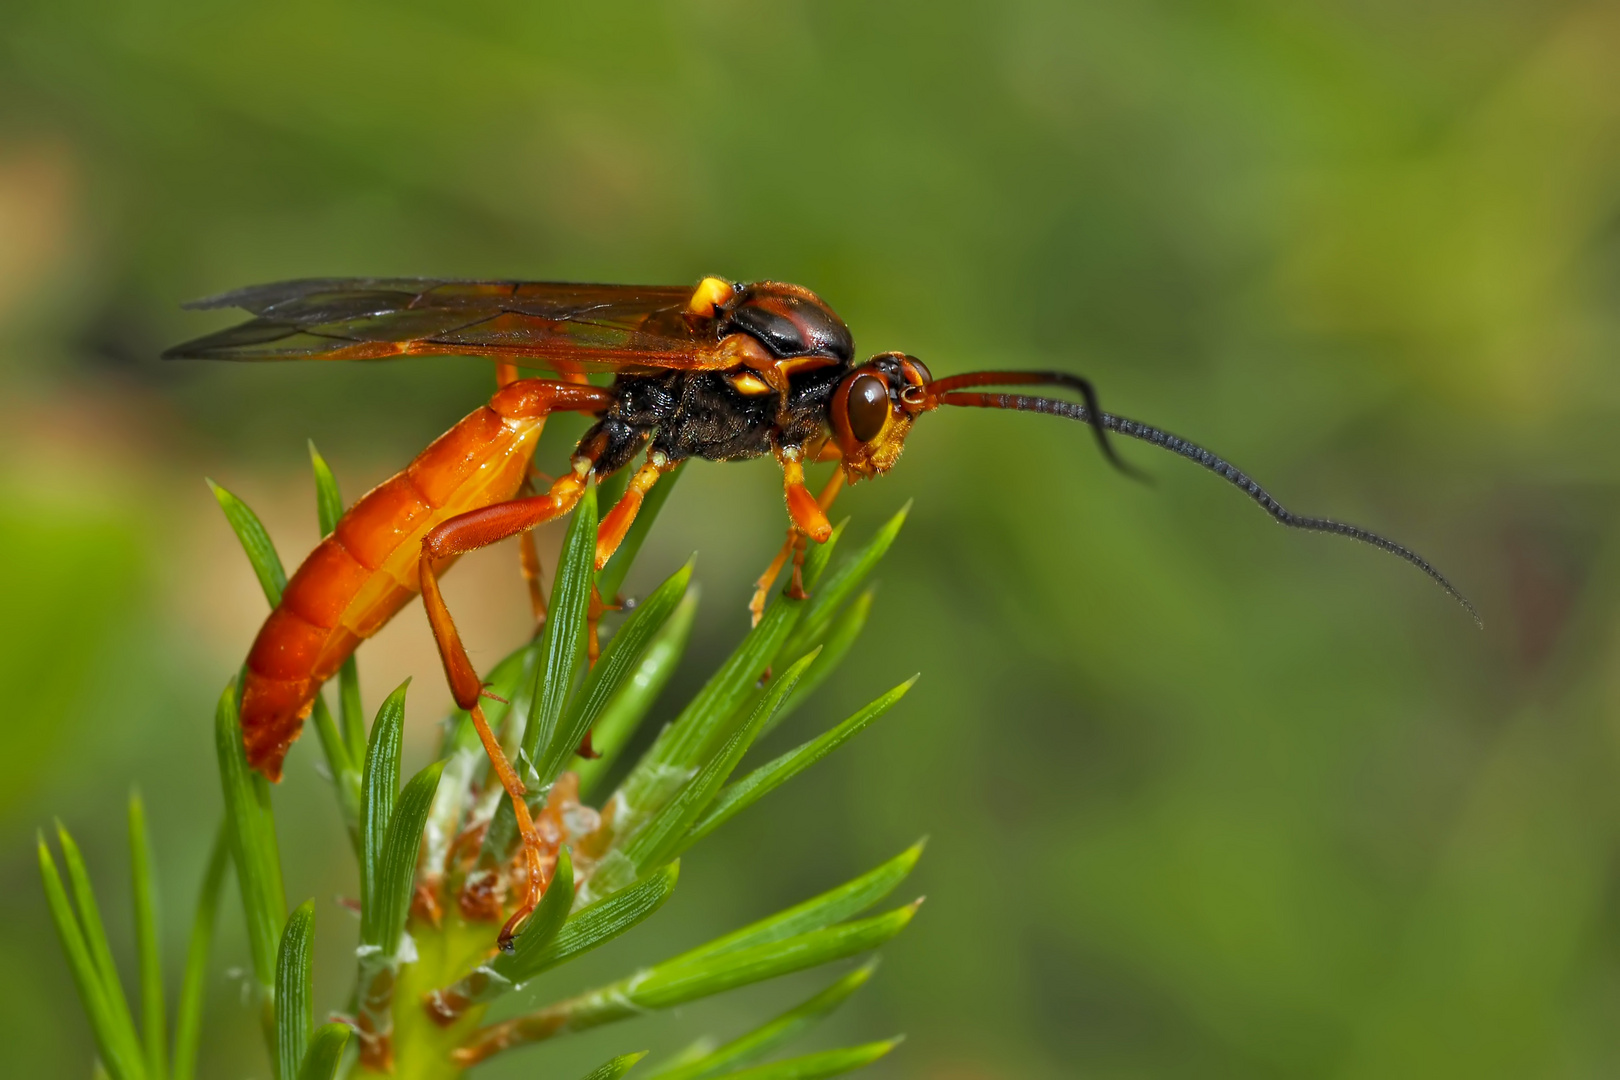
(568, 328)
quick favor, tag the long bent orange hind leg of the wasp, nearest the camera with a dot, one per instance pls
(464, 534)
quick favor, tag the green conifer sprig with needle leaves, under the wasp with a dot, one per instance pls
(427, 967)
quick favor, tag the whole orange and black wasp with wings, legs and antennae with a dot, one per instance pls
(723, 372)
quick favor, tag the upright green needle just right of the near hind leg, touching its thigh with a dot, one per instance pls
(563, 644)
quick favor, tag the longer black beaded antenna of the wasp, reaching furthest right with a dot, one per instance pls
(1221, 467)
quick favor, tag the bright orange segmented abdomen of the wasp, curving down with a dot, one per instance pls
(360, 576)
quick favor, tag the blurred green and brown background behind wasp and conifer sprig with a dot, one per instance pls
(1206, 797)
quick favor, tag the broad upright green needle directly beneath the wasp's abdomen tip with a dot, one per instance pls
(252, 841)
